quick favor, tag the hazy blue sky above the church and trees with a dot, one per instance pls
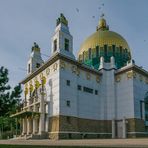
(24, 21)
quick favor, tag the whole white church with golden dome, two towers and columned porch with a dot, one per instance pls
(100, 93)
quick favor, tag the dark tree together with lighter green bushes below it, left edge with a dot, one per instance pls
(9, 103)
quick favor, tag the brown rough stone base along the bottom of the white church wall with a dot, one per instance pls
(65, 127)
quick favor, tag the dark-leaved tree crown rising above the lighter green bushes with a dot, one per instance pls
(9, 100)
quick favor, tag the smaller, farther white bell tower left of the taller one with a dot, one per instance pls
(35, 60)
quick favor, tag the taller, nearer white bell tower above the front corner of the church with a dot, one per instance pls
(62, 40)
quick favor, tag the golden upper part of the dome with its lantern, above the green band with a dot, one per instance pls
(103, 37)
